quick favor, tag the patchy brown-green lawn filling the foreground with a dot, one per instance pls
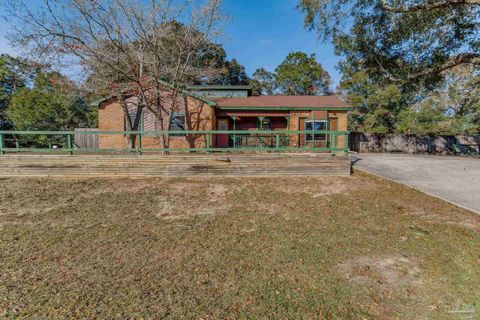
(290, 248)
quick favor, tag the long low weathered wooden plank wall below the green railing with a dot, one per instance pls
(80, 166)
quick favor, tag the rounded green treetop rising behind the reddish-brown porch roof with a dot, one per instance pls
(300, 74)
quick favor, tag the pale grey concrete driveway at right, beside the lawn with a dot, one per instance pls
(454, 179)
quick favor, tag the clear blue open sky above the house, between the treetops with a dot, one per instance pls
(259, 33)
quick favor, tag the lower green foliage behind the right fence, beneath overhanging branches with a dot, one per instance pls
(453, 107)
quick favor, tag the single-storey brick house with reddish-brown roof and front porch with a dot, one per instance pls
(232, 108)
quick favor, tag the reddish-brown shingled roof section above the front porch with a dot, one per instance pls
(283, 102)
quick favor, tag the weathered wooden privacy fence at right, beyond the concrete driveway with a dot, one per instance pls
(413, 144)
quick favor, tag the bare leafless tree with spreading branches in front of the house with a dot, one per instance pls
(126, 47)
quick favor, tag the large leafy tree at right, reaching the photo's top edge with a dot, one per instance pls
(399, 58)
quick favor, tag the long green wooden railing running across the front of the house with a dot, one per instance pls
(197, 141)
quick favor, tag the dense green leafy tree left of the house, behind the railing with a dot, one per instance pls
(52, 104)
